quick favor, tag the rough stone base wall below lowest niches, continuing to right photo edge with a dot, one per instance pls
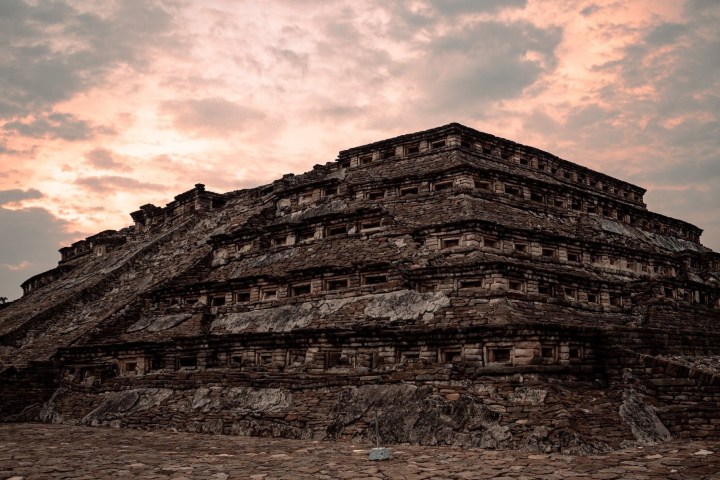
(443, 405)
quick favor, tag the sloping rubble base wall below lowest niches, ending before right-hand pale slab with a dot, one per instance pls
(504, 411)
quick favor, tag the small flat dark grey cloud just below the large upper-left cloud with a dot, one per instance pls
(64, 126)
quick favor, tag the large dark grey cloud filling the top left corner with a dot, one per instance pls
(52, 50)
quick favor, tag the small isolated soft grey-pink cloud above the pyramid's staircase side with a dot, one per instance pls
(211, 116)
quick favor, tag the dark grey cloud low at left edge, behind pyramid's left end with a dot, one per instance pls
(29, 243)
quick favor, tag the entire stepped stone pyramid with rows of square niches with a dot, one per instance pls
(466, 289)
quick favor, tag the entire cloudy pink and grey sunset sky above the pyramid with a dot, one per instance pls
(109, 105)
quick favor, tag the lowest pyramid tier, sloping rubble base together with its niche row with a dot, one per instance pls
(608, 396)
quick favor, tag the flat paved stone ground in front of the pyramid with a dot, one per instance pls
(33, 451)
